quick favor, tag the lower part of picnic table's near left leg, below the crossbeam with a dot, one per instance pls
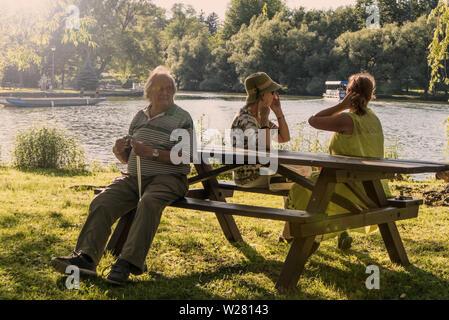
(294, 263)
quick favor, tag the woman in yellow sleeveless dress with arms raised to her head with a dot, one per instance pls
(358, 133)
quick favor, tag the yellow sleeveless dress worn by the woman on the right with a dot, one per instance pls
(367, 140)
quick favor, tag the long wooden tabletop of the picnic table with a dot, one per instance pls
(226, 155)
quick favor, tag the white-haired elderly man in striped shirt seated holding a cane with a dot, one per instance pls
(162, 183)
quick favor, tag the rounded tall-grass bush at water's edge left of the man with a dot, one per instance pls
(47, 148)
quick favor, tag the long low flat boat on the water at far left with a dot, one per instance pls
(54, 102)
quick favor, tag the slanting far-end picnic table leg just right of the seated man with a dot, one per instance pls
(227, 222)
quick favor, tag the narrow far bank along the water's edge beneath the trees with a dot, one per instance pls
(33, 93)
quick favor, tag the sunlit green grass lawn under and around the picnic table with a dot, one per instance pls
(41, 217)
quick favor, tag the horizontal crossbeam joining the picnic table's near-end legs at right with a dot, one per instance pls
(344, 222)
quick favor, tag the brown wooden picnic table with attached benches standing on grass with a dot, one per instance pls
(304, 225)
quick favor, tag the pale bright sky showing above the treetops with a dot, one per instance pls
(219, 6)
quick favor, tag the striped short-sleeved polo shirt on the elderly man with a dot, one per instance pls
(155, 132)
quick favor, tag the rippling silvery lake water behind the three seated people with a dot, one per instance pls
(418, 127)
